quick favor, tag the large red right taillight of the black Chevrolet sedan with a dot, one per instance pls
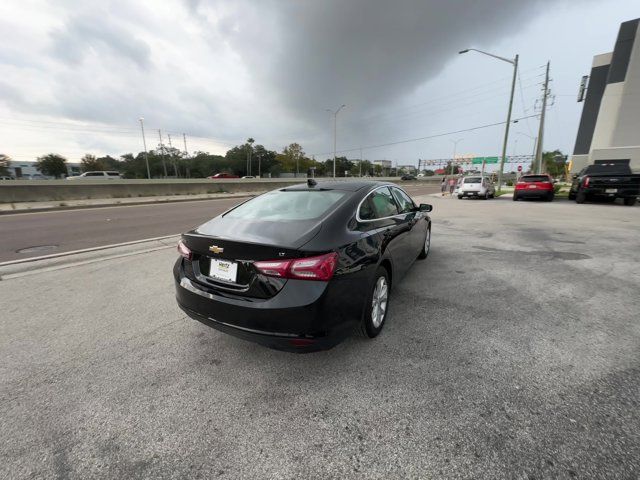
(310, 268)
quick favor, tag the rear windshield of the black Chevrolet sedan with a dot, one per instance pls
(283, 205)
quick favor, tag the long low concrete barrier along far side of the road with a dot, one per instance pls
(13, 191)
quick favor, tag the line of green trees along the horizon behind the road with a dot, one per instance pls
(245, 159)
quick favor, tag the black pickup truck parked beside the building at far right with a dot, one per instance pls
(606, 179)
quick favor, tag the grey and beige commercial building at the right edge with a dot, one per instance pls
(610, 123)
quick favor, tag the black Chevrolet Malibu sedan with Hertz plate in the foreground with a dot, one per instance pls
(299, 267)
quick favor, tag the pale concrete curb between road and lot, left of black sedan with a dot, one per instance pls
(57, 261)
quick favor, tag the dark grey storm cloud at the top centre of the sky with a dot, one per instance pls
(367, 53)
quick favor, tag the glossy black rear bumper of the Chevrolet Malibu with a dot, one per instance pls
(296, 319)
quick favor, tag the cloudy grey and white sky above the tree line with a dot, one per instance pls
(77, 76)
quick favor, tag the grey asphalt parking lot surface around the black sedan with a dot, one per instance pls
(512, 352)
